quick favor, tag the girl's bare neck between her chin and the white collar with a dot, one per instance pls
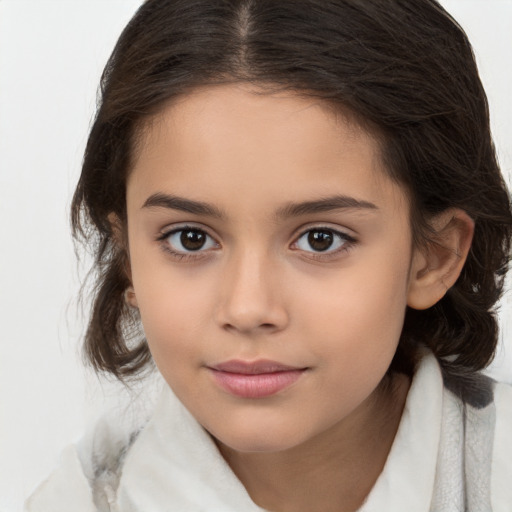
(336, 470)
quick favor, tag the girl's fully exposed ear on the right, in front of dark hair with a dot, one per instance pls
(436, 267)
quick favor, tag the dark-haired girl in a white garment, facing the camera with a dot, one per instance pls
(299, 221)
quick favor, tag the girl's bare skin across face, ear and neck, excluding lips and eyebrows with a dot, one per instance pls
(258, 290)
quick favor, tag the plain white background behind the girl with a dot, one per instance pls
(51, 56)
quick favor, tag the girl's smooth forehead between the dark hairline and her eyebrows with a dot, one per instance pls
(238, 142)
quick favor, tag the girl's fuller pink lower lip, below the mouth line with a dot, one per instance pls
(256, 385)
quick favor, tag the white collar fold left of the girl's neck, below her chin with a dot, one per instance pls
(175, 465)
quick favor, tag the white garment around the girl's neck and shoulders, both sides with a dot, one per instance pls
(447, 456)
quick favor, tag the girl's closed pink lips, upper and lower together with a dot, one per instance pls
(256, 379)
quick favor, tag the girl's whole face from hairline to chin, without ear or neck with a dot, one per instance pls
(270, 256)
